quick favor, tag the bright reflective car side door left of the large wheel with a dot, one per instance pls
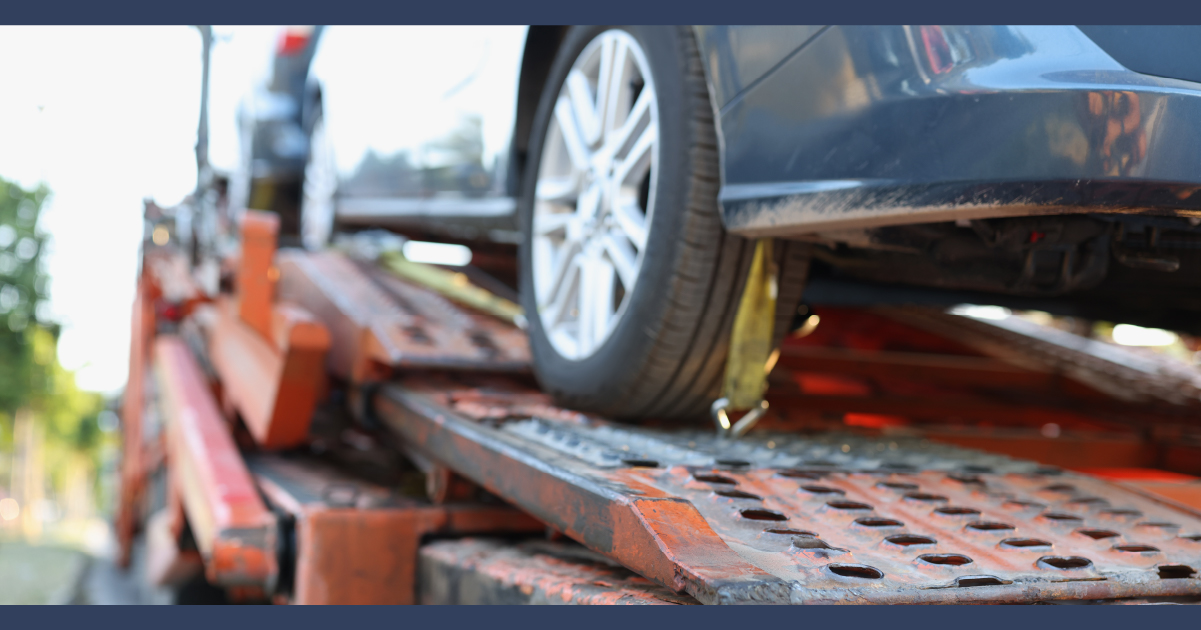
(420, 121)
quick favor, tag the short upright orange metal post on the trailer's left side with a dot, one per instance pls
(256, 280)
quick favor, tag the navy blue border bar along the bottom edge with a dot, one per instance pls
(611, 619)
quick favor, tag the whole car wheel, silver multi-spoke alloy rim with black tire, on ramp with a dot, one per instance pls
(629, 280)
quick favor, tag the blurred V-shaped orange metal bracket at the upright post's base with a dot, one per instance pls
(274, 383)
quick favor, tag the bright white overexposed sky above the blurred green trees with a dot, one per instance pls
(107, 117)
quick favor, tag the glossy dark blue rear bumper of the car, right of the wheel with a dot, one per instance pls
(870, 127)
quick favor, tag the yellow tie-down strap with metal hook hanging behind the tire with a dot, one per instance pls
(746, 373)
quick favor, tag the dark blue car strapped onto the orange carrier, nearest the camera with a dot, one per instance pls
(637, 169)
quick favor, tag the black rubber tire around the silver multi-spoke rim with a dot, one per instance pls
(665, 353)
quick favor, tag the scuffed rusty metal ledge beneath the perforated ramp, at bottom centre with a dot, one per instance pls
(481, 572)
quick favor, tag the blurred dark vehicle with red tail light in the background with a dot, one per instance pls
(273, 131)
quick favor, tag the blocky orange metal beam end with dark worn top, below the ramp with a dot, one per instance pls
(357, 543)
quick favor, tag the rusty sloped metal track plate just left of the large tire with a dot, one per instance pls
(379, 322)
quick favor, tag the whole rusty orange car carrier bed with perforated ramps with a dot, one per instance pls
(332, 433)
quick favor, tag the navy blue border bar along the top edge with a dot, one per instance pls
(600, 11)
